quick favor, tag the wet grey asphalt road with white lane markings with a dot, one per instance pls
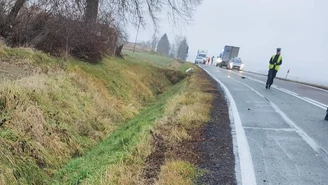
(280, 134)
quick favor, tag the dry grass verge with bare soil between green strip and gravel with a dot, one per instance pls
(157, 159)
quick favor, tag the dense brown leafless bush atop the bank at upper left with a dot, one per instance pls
(60, 30)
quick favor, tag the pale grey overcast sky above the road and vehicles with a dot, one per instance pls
(258, 27)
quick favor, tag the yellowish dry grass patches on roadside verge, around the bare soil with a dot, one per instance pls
(187, 109)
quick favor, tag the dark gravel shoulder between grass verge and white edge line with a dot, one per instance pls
(216, 147)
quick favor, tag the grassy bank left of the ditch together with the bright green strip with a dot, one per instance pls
(71, 106)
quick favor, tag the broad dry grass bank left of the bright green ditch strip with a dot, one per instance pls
(58, 112)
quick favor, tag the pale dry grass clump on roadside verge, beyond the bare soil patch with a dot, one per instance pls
(184, 111)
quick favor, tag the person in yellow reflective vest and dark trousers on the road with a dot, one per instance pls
(274, 65)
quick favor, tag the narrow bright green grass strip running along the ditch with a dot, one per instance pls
(117, 146)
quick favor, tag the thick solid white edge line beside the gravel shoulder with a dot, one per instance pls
(245, 158)
